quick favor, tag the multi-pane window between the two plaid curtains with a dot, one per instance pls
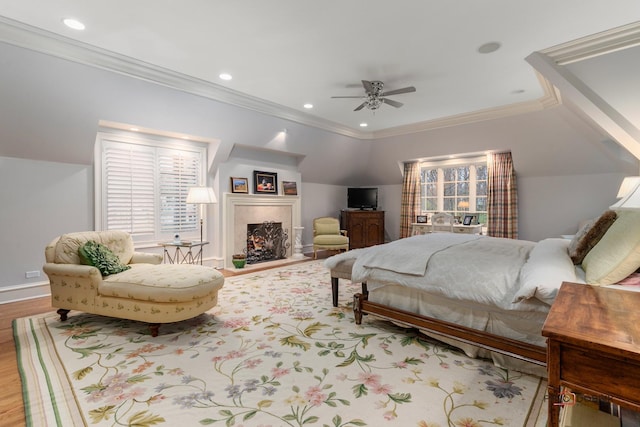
(457, 187)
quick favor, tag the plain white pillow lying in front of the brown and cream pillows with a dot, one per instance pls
(547, 267)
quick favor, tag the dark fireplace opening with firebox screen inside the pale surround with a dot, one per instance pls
(266, 241)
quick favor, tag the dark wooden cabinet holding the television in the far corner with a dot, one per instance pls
(364, 228)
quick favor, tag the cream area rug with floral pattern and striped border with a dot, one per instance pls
(274, 352)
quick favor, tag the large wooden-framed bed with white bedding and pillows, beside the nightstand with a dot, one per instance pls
(489, 296)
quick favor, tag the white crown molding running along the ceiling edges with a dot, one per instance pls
(36, 39)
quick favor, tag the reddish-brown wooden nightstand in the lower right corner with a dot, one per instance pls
(593, 346)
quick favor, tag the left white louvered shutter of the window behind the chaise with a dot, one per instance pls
(129, 193)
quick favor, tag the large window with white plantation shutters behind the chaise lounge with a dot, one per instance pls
(142, 186)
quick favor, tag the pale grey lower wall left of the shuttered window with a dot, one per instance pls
(40, 200)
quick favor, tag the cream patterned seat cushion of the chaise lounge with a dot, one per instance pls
(162, 283)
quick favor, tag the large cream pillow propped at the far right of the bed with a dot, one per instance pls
(617, 254)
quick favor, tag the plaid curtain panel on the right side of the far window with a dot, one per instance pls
(502, 197)
